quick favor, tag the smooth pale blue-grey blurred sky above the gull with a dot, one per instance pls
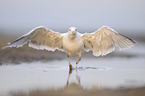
(124, 16)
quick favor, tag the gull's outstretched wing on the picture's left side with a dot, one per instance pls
(40, 38)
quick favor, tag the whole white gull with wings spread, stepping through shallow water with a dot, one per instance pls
(101, 42)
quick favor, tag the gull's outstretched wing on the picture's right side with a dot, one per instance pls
(104, 40)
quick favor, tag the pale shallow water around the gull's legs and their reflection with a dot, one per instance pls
(89, 74)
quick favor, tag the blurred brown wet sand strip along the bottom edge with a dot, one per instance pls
(76, 92)
